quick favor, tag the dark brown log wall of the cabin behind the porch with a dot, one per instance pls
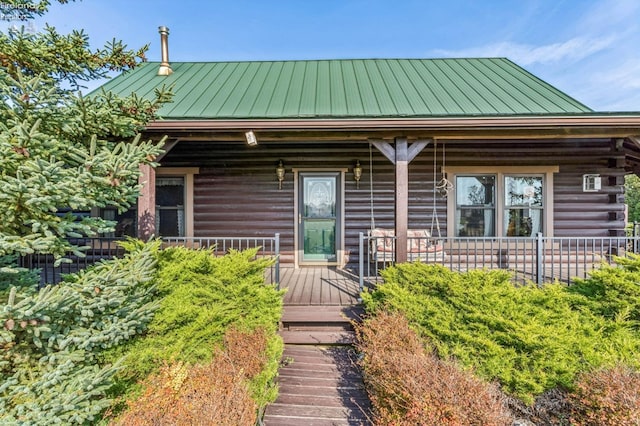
(236, 192)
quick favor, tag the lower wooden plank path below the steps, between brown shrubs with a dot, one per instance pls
(319, 386)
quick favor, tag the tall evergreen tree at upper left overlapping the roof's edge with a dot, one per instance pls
(58, 149)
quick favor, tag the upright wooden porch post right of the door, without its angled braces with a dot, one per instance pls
(402, 198)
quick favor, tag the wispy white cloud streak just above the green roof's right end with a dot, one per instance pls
(571, 50)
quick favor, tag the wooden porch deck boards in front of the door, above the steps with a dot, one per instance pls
(319, 286)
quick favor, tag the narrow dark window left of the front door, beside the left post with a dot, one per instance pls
(170, 203)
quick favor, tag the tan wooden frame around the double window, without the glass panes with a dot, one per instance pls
(501, 172)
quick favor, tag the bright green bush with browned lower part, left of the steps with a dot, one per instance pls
(217, 318)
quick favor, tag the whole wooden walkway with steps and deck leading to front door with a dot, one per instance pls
(320, 383)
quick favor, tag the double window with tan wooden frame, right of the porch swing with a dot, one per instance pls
(507, 201)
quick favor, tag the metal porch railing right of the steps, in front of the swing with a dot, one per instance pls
(539, 259)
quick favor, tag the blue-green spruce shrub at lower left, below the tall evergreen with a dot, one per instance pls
(50, 340)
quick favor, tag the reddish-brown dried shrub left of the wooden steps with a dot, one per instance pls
(215, 393)
